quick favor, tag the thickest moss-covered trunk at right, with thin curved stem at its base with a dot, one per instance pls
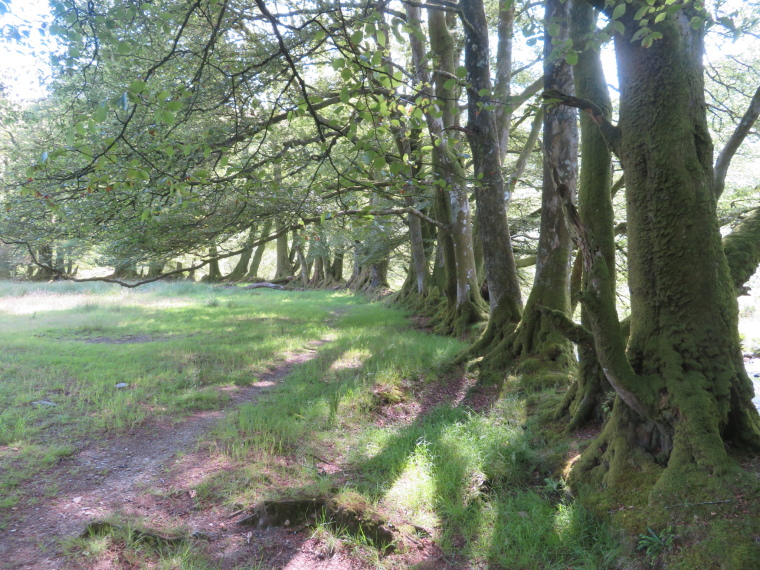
(682, 391)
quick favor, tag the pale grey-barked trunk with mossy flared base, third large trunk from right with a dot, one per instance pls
(542, 354)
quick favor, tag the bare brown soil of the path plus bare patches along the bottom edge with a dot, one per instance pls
(150, 474)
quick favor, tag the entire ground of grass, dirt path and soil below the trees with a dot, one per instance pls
(141, 429)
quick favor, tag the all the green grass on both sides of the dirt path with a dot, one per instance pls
(473, 480)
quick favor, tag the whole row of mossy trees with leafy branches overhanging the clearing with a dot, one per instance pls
(378, 132)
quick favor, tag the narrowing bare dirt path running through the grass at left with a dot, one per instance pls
(147, 473)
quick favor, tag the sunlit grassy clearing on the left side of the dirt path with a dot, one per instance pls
(66, 348)
